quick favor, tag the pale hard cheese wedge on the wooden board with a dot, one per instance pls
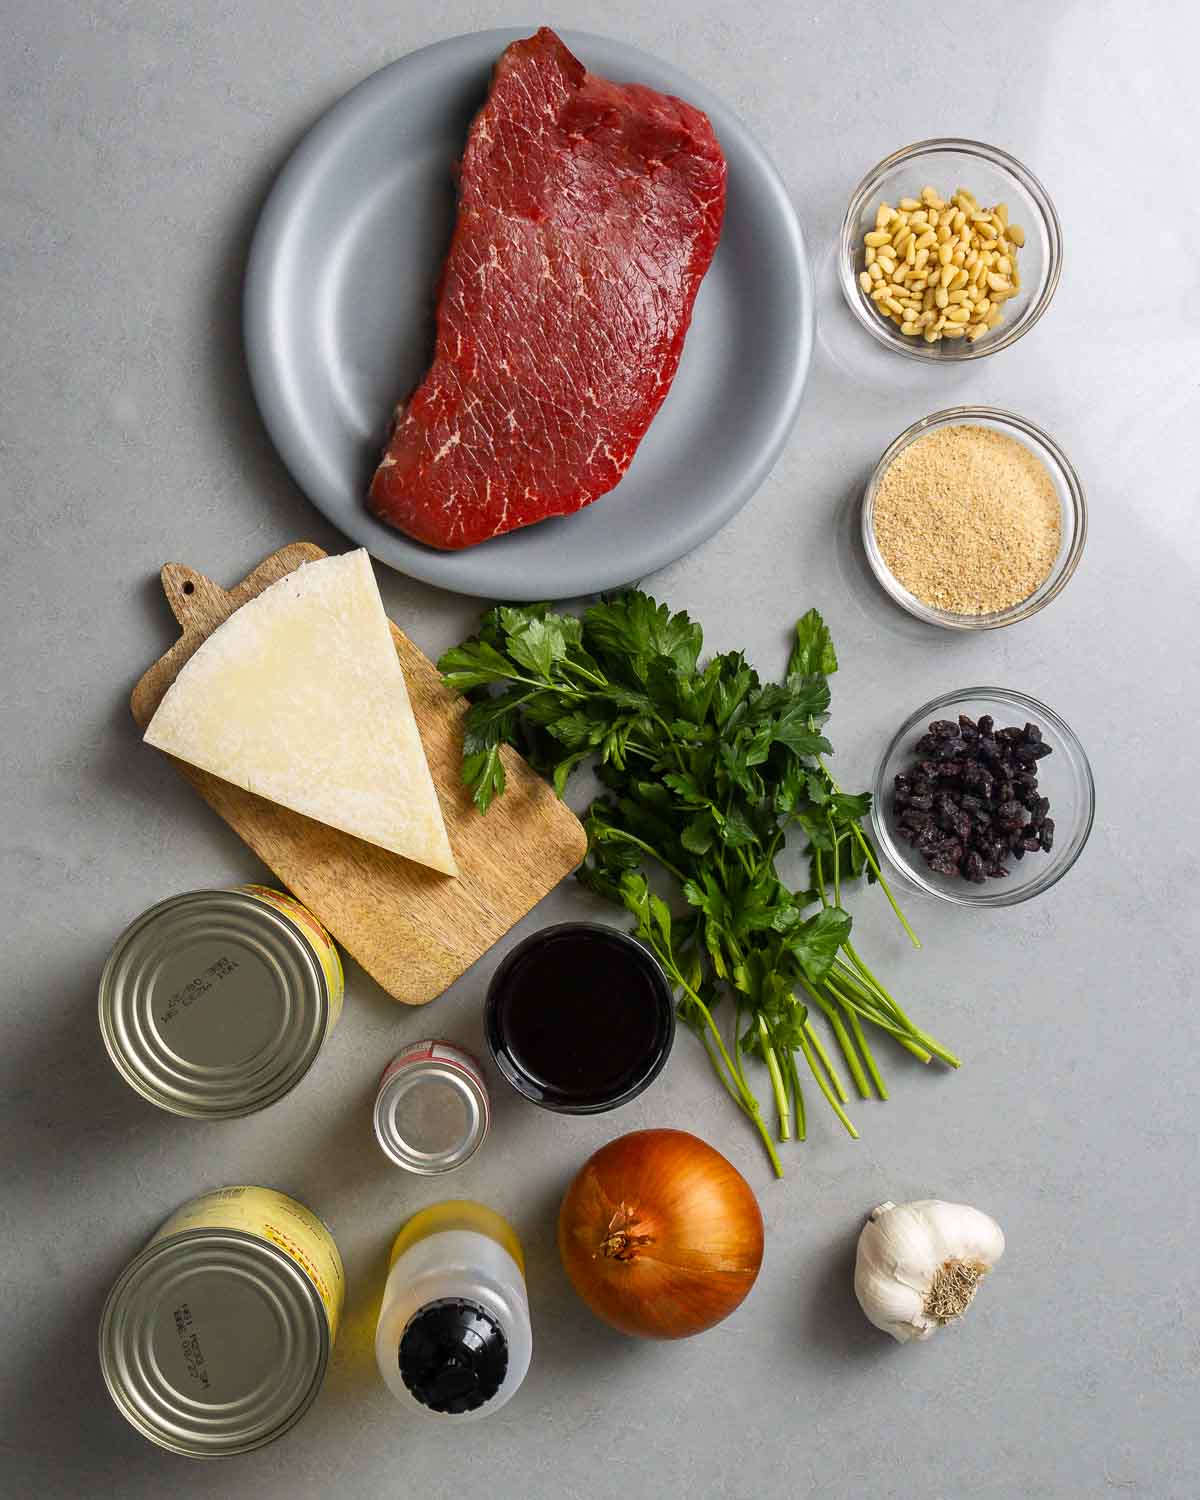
(301, 698)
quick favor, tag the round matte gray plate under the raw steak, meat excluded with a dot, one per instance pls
(340, 326)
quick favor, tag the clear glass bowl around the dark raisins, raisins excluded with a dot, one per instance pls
(1066, 778)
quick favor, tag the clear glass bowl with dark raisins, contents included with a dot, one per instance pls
(985, 797)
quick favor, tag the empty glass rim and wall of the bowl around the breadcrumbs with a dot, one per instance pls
(1072, 502)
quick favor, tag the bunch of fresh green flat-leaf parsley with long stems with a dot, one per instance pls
(706, 770)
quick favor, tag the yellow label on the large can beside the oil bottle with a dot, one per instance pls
(278, 1220)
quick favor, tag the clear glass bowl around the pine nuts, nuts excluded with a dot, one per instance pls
(992, 176)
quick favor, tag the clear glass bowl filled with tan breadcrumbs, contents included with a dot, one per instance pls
(974, 520)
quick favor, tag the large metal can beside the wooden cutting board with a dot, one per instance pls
(215, 1004)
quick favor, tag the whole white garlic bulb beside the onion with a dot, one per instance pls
(920, 1265)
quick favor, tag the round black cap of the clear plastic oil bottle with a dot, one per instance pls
(454, 1357)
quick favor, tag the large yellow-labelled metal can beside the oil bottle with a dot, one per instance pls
(217, 1339)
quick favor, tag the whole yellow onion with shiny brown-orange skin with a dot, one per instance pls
(661, 1235)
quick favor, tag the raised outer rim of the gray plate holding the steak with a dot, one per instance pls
(266, 274)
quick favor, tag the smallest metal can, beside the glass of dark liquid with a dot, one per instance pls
(433, 1109)
